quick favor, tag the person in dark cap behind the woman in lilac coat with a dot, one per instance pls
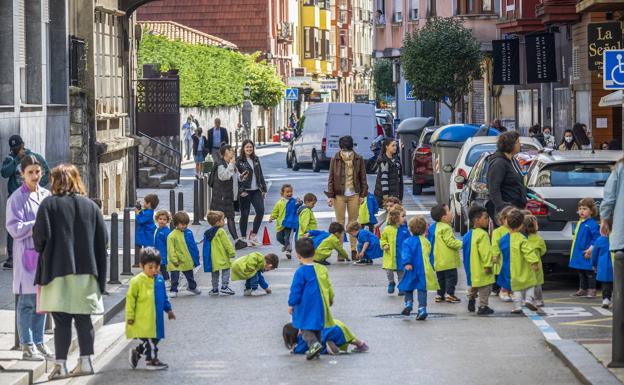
(11, 169)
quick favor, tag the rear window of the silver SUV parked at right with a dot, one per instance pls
(573, 175)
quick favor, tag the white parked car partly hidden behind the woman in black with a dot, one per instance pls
(468, 156)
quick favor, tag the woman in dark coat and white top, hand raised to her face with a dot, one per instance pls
(225, 190)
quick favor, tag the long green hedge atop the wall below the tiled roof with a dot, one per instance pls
(212, 76)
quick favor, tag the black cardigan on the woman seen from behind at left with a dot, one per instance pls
(71, 237)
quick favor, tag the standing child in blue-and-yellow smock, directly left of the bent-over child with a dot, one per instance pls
(217, 252)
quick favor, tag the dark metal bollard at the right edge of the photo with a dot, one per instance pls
(617, 346)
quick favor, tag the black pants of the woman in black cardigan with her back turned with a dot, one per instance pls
(62, 334)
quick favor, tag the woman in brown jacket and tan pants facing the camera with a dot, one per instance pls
(346, 184)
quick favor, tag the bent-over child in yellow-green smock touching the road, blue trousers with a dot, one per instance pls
(250, 268)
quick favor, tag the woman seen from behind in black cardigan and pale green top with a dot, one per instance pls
(71, 237)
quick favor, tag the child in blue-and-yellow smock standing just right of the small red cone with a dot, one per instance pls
(285, 215)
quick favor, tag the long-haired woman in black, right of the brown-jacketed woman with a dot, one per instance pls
(389, 172)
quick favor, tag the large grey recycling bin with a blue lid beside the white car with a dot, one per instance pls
(446, 144)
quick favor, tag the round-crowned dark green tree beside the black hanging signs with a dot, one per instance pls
(441, 60)
